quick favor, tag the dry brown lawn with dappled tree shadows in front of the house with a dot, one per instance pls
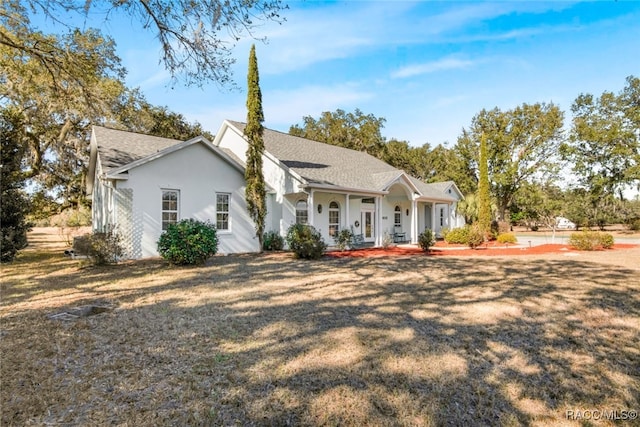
(269, 340)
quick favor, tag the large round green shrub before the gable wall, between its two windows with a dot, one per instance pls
(188, 242)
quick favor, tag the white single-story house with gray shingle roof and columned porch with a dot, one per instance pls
(139, 184)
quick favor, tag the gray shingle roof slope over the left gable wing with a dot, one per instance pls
(118, 148)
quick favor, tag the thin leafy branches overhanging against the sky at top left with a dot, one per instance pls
(196, 37)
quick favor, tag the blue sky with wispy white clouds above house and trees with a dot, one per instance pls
(426, 67)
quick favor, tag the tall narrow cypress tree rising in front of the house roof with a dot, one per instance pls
(255, 193)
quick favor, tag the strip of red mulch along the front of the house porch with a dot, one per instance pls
(491, 250)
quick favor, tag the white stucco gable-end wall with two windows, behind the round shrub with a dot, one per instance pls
(197, 173)
